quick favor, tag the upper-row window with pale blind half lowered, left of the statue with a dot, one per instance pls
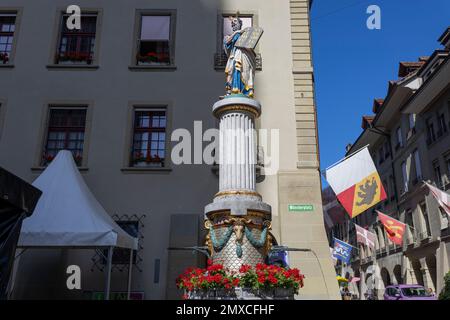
(155, 43)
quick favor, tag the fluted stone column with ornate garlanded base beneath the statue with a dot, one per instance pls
(238, 220)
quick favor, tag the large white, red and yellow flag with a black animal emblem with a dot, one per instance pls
(356, 183)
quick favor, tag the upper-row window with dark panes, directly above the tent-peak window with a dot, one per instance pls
(77, 46)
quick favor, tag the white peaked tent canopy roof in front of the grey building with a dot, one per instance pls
(68, 215)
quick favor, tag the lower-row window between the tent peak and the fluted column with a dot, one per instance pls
(149, 138)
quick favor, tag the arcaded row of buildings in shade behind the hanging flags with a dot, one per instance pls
(409, 143)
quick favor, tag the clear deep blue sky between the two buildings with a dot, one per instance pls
(352, 64)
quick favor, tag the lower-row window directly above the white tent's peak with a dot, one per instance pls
(66, 129)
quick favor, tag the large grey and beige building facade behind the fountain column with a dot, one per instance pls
(116, 91)
